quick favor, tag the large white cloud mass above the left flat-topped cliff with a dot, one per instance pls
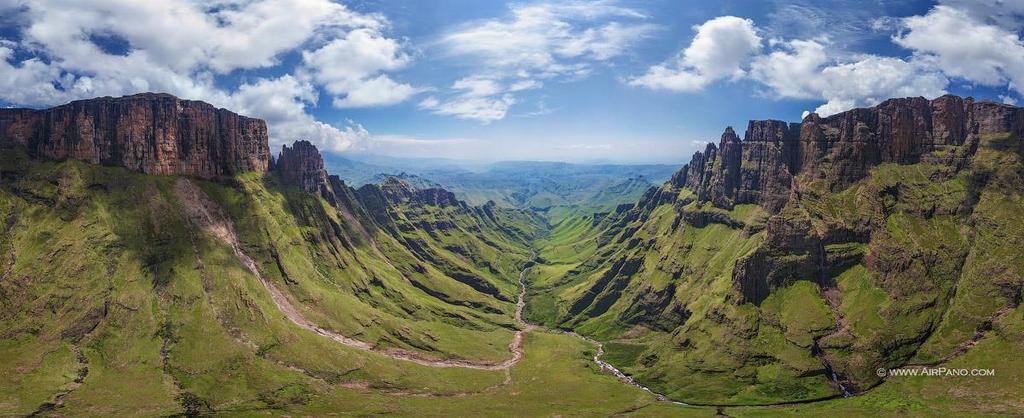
(68, 51)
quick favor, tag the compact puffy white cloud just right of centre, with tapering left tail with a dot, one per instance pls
(720, 51)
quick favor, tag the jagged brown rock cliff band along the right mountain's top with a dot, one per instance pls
(842, 148)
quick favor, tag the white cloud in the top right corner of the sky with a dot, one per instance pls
(964, 47)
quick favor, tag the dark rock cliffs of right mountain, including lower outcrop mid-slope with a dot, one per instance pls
(836, 152)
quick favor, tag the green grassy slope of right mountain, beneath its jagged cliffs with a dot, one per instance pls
(922, 262)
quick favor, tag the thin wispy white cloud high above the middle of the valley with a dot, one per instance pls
(538, 41)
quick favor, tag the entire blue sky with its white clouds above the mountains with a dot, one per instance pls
(637, 81)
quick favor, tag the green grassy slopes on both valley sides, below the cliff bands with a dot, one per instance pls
(114, 304)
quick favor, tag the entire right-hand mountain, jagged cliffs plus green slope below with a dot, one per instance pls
(792, 265)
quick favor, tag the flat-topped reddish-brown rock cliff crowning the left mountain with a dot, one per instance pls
(149, 133)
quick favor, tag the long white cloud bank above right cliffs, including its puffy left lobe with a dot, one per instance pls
(730, 49)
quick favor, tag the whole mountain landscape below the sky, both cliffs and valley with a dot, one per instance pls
(158, 260)
